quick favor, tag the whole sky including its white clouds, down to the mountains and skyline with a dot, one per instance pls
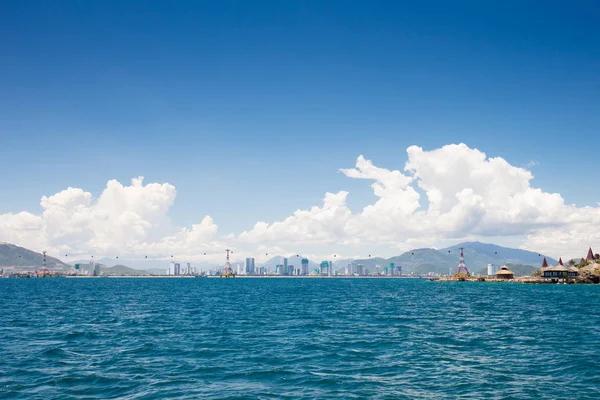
(291, 128)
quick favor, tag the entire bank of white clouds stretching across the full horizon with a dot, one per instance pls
(469, 196)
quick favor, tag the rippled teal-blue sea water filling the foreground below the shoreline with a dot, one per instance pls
(297, 338)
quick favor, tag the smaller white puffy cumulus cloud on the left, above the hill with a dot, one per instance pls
(126, 220)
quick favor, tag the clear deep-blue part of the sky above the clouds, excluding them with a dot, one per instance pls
(250, 108)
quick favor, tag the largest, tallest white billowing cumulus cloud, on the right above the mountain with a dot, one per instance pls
(469, 195)
